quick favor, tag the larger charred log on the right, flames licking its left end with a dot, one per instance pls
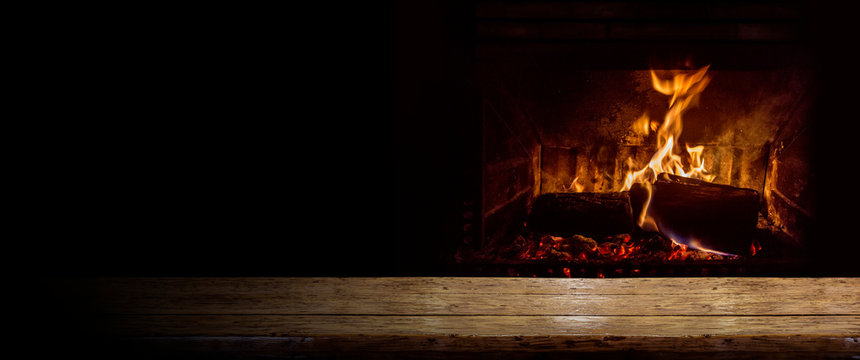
(699, 214)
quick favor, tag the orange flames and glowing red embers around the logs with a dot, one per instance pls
(669, 157)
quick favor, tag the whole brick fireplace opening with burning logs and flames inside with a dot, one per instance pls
(624, 139)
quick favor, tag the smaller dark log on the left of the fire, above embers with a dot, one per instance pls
(591, 214)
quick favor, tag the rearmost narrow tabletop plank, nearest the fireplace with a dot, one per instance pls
(465, 285)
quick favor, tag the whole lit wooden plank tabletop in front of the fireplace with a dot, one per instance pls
(473, 317)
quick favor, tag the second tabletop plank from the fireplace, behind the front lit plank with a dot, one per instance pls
(504, 304)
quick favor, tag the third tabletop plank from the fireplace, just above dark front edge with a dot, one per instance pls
(583, 326)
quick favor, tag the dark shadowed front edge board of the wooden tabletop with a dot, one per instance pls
(471, 348)
